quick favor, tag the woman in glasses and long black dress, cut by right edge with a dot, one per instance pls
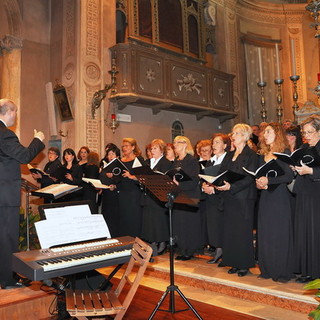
(307, 217)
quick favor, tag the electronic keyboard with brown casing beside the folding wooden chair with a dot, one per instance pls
(43, 264)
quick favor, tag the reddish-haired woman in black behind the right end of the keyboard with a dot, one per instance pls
(130, 210)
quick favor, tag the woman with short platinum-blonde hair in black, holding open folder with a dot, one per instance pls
(239, 199)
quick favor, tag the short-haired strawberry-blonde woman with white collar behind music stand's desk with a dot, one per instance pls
(155, 224)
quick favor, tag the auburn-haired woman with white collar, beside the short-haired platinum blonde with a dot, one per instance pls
(213, 200)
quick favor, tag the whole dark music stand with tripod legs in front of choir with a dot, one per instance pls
(164, 189)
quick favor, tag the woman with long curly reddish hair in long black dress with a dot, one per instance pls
(275, 234)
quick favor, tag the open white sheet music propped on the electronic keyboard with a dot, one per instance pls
(70, 222)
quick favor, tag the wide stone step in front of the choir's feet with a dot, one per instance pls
(196, 273)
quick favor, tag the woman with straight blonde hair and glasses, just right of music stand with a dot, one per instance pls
(186, 218)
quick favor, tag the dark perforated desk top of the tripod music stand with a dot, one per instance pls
(161, 185)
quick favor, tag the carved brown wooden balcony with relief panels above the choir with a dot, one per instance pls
(162, 81)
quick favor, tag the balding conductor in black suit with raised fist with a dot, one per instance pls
(12, 154)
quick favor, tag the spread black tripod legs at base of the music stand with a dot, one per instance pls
(172, 289)
